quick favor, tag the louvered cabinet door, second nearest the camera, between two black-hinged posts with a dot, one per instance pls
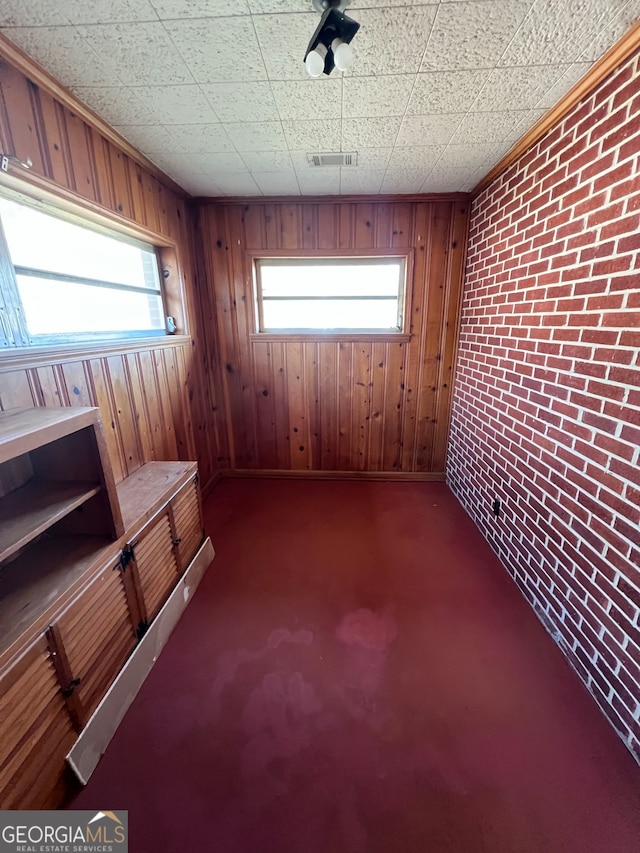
(97, 634)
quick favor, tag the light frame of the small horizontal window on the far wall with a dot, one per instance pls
(318, 257)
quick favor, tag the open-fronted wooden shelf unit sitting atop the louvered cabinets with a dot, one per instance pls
(58, 511)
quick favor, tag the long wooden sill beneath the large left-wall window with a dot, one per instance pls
(16, 357)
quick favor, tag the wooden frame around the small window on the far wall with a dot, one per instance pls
(404, 301)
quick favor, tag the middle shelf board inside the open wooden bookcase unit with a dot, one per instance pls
(31, 510)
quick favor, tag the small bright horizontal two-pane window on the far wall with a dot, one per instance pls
(330, 294)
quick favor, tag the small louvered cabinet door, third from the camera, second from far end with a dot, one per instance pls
(155, 560)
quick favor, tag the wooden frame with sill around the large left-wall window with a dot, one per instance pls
(67, 206)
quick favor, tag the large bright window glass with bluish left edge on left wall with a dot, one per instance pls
(65, 282)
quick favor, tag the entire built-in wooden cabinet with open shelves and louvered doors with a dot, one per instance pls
(85, 567)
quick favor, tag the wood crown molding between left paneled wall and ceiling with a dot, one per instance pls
(38, 75)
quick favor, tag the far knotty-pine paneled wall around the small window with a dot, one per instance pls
(360, 405)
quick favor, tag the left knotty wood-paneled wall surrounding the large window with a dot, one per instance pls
(154, 402)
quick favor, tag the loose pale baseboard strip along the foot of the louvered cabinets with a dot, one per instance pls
(87, 751)
